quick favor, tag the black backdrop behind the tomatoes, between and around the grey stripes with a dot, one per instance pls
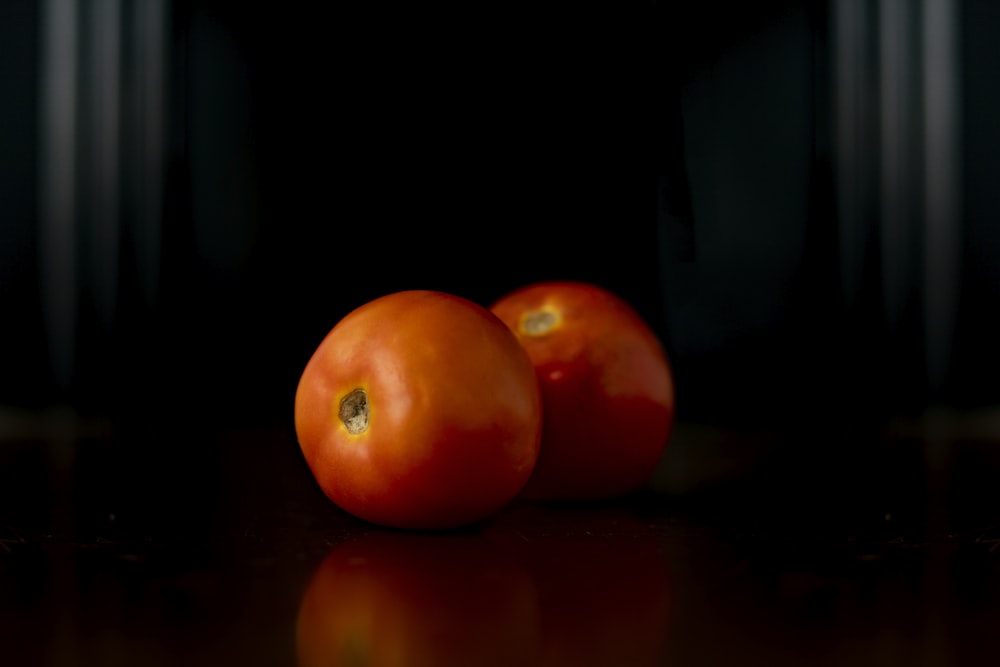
(318, 157)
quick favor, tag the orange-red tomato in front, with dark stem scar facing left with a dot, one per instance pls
(419, 410)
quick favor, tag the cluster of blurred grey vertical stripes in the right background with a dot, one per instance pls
(898, 152)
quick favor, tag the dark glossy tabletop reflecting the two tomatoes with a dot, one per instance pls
(167, 544)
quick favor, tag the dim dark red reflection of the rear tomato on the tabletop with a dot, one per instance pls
(603, 584)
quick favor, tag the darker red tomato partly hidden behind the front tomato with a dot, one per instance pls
(607, 389)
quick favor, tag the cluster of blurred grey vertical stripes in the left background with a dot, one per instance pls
(101, 165)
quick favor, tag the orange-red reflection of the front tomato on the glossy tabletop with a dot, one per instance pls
(416, 599)
